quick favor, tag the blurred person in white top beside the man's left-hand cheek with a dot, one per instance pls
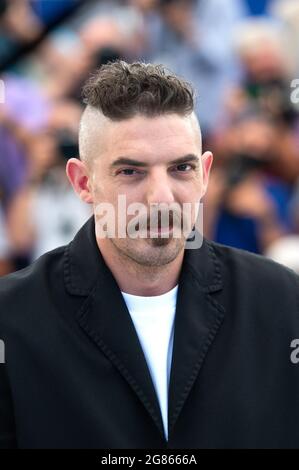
(45, 213)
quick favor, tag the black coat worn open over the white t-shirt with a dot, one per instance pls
(75, 375)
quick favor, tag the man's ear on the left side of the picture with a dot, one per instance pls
(78, 175)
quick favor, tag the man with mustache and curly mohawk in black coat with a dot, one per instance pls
(125, 341)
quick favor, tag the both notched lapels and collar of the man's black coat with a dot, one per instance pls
(105, 318)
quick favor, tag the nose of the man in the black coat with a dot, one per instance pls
(159, 189)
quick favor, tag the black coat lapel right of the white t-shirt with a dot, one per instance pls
(198, 318)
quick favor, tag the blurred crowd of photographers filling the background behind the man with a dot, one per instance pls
(242, 57)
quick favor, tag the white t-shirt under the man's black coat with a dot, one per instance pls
(153, 318)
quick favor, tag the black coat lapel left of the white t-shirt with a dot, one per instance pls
(105, 318)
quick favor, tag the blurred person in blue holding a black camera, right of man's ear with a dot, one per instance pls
(250, 210)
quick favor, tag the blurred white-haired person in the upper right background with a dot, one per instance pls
(267, 69)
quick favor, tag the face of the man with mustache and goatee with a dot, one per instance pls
(149, 161)
